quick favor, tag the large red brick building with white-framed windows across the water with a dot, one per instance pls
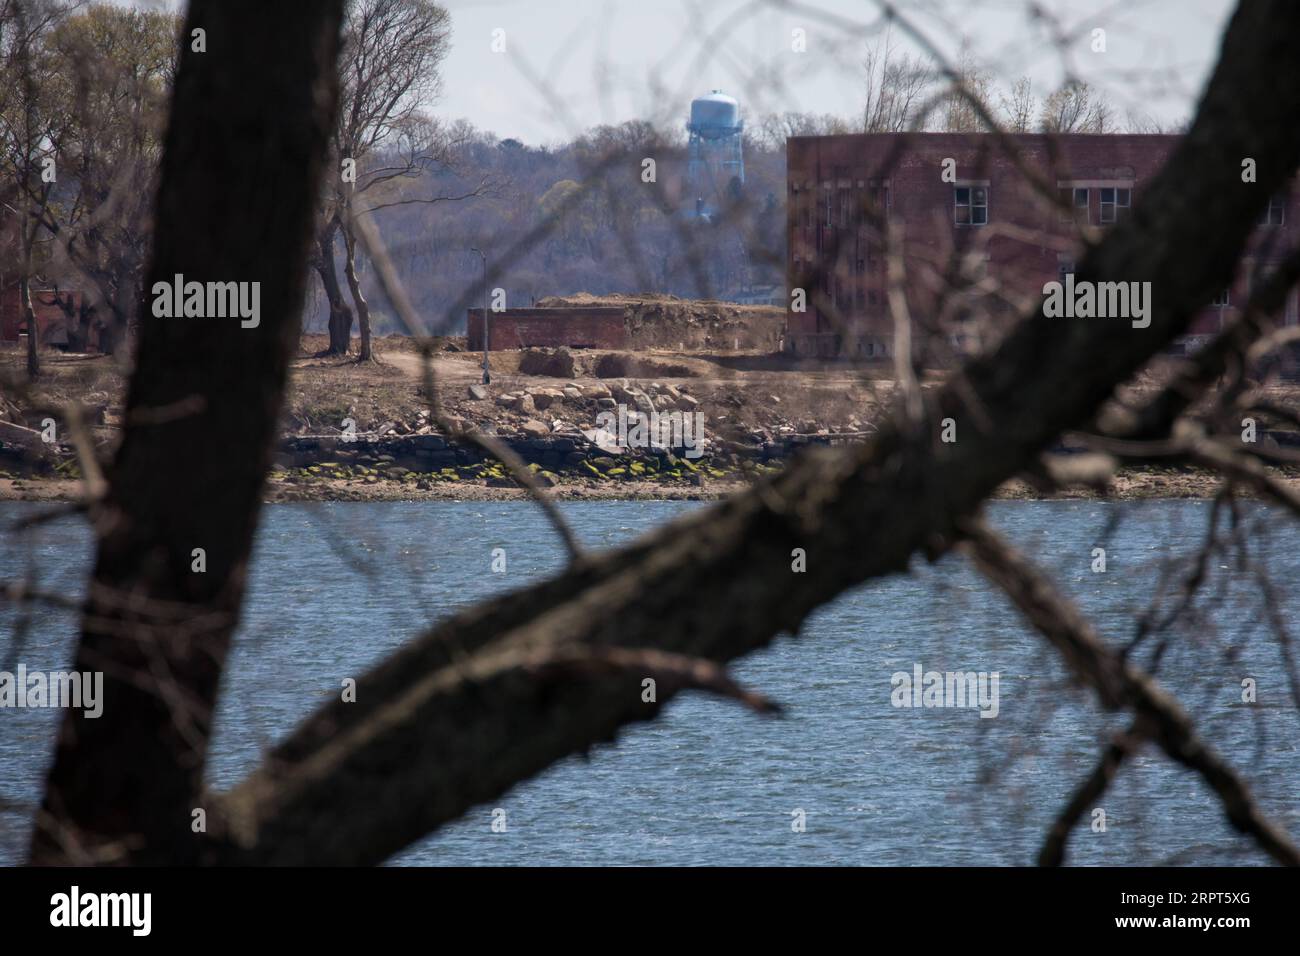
(990, 215)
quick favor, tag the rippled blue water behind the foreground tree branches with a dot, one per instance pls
(336, 587)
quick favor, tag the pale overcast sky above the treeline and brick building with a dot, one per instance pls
(571, 64)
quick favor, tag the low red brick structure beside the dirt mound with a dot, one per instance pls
(599, 327)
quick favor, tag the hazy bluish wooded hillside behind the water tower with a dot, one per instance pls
(578, 218)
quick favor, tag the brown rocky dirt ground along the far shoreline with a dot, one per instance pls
(748, 397)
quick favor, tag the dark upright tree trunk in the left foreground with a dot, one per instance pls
(242, 163)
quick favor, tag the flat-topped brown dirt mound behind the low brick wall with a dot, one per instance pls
(666, 322)
